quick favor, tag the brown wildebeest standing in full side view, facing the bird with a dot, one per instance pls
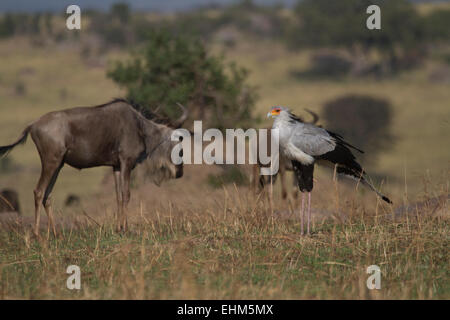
(112, 134)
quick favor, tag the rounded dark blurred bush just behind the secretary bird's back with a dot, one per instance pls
(362, 120)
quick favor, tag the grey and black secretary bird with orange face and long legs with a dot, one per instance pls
(304, 144)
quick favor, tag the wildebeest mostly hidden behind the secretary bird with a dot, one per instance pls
(260, 181)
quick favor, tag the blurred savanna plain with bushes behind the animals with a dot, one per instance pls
(228, 64)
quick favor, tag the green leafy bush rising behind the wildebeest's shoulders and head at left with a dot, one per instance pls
(173, 69)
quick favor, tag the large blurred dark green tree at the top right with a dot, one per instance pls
(323, 23)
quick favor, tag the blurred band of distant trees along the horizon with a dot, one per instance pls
(404, 41)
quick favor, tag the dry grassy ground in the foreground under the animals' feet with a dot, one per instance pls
(236, 250)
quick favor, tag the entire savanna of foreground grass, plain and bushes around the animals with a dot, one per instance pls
(208, 235)
